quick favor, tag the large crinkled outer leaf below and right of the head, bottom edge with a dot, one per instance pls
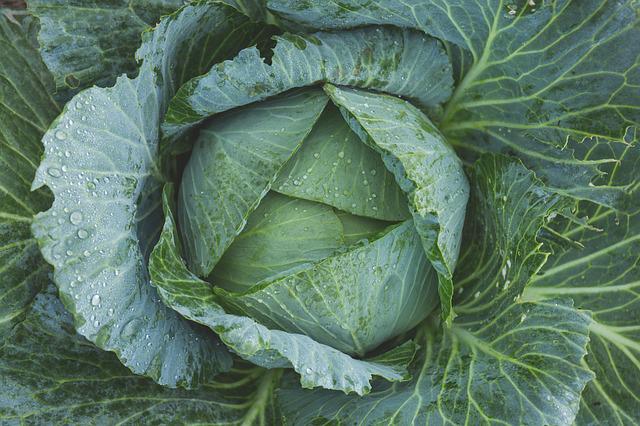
(503, 361)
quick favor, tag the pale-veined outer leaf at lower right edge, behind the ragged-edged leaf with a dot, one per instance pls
(603, 276)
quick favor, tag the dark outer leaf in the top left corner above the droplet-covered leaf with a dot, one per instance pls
(85, 42)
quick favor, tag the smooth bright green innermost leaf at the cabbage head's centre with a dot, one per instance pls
(282, 234)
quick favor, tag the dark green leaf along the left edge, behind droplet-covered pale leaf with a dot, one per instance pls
(26, 110)
